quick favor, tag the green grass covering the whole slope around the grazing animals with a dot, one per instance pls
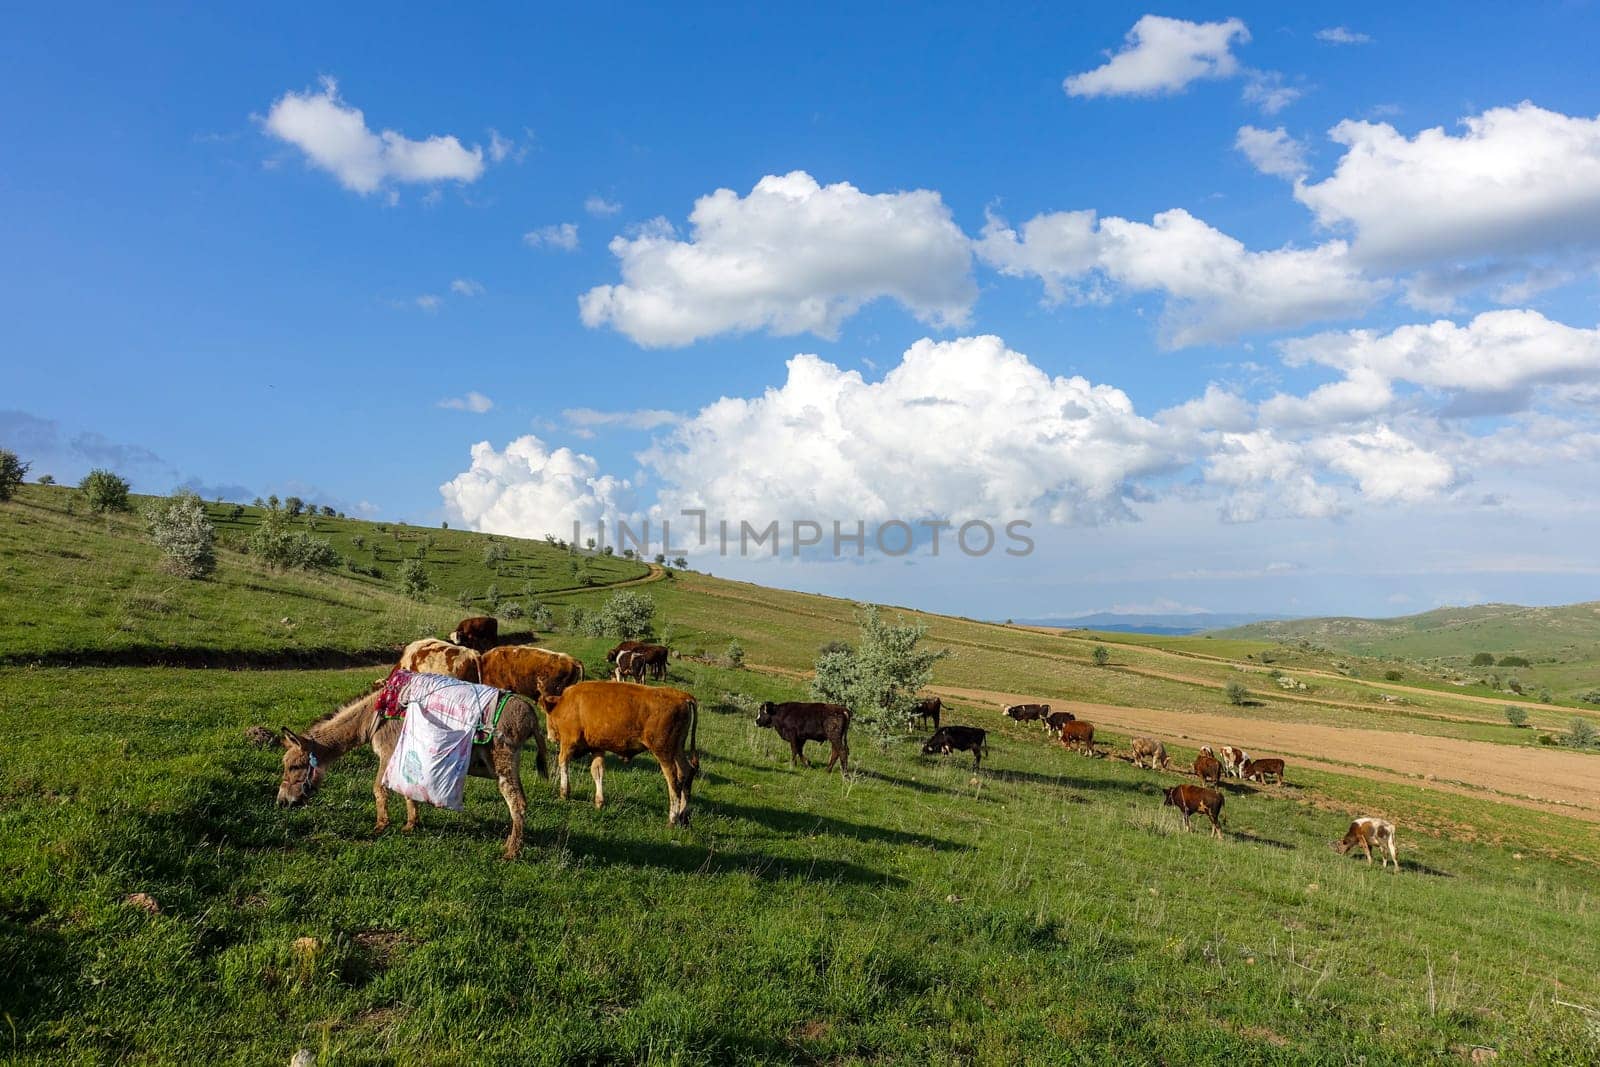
(1047, 909)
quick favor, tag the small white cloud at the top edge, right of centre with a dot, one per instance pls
(1164, 55)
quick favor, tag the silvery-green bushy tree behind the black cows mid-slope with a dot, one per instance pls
(879, 679)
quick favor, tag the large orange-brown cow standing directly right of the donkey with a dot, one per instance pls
(626, 719)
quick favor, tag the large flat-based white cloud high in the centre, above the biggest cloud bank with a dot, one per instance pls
(791, 257)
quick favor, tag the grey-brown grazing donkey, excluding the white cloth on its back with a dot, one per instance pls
(308, 756)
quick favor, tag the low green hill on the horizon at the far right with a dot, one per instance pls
(1564, 634)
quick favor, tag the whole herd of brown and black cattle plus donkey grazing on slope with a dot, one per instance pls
(626, 717)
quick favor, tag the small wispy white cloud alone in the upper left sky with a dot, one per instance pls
(335, 137)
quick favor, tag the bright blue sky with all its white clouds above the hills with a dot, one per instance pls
(218, 273)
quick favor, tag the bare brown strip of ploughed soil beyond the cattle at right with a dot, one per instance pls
(1546, 780)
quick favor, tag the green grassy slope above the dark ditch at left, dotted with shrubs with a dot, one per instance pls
(90, 589)
